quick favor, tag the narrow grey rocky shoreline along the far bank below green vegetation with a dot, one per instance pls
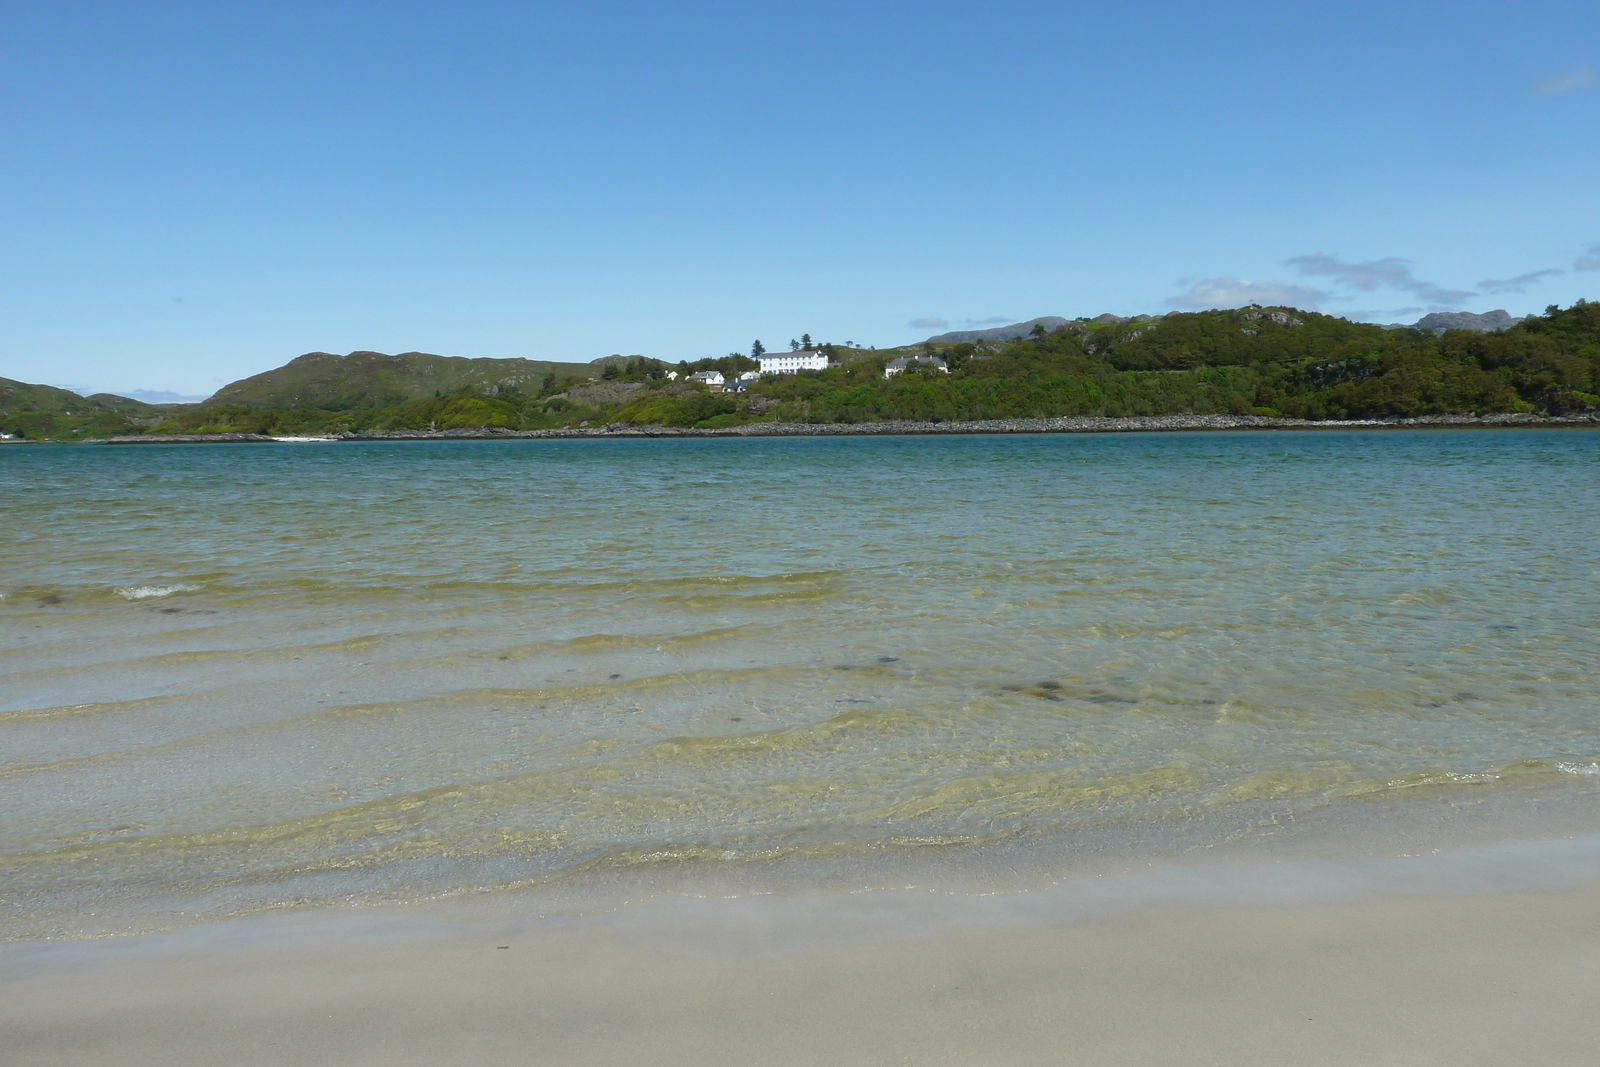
(1138, 425)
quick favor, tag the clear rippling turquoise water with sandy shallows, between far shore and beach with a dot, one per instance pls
(246, 677)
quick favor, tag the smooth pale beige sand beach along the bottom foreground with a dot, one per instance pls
(1508, 978)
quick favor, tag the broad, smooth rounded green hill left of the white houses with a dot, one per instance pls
(372, 380)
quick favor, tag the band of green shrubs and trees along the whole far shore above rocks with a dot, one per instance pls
(1255, 361)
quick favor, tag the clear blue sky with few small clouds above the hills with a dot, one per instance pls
(198, 193)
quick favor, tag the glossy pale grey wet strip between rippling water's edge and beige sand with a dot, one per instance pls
(772, 925)
